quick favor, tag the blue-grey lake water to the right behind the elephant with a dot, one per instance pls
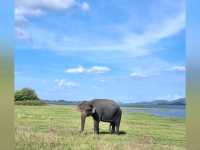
(161, 112)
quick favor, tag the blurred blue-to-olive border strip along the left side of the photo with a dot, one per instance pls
(6, 75)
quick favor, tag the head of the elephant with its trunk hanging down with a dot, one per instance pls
(86, 109)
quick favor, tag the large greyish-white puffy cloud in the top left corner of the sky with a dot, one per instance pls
(35, 8)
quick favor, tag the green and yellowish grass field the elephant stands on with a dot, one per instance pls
(57, 128)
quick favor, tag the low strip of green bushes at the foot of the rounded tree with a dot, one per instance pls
(31, 103)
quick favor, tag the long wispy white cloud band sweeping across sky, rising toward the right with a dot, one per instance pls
(136, 44)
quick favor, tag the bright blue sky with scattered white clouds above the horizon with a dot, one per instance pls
(126, 50)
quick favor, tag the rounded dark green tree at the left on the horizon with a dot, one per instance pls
(26, 94)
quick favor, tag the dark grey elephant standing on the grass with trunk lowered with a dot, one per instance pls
(104, 110)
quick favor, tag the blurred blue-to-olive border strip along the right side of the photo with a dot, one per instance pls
(193, 75)
